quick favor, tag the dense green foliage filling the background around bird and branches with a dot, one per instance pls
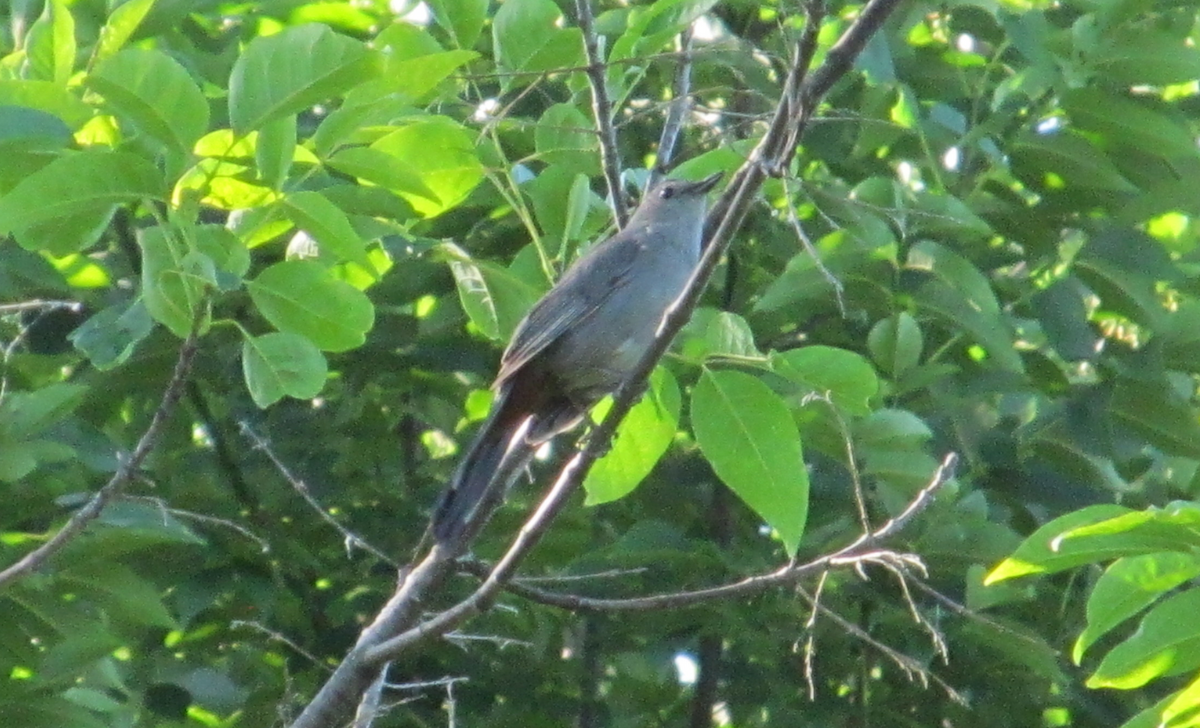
(349, 206)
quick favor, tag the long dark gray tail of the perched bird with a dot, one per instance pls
(495, 459)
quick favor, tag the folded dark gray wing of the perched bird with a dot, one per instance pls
(572, 302)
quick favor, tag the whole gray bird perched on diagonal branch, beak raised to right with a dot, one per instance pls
(579, 344)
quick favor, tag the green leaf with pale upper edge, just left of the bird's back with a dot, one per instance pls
(494, 298)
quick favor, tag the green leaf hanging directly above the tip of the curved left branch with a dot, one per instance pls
(175, 281)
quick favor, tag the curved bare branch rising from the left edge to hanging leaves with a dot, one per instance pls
(125, 472)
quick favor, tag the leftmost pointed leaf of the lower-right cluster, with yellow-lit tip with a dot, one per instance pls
(1045, 552)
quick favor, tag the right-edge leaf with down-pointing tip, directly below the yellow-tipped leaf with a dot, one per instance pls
(1127, 587)
